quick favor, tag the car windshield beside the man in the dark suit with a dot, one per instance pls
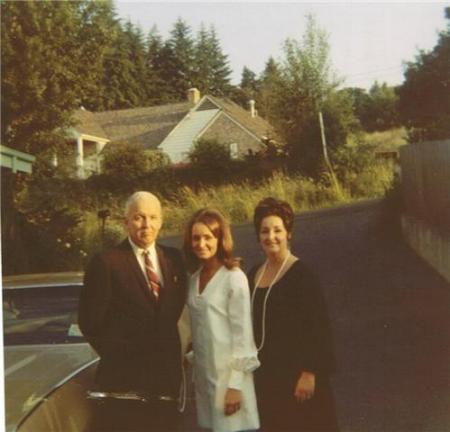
(41, 315)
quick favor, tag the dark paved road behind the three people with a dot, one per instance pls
(390, 313)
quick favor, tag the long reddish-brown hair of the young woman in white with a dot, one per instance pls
(220, 229)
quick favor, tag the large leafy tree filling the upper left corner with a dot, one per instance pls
(42, 72)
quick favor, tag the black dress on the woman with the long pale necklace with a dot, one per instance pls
(297, 338)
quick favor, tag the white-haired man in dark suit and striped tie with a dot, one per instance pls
(132, 298)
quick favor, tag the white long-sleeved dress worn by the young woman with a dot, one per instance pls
(224, 353)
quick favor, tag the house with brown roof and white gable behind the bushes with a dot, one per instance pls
(172, 128)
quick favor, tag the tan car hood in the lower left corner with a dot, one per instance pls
(32, 371)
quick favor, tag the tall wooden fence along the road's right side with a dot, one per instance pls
(426, 182)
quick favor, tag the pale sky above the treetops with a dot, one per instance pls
(368, 40)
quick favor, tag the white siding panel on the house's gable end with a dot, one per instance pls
(179, 142)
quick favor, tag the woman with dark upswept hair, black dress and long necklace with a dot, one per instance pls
(292, 332)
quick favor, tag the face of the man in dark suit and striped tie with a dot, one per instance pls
(143, 221)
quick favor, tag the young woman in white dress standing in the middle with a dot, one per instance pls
(224, 353)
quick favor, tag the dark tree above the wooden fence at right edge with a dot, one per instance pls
(425, 95)
